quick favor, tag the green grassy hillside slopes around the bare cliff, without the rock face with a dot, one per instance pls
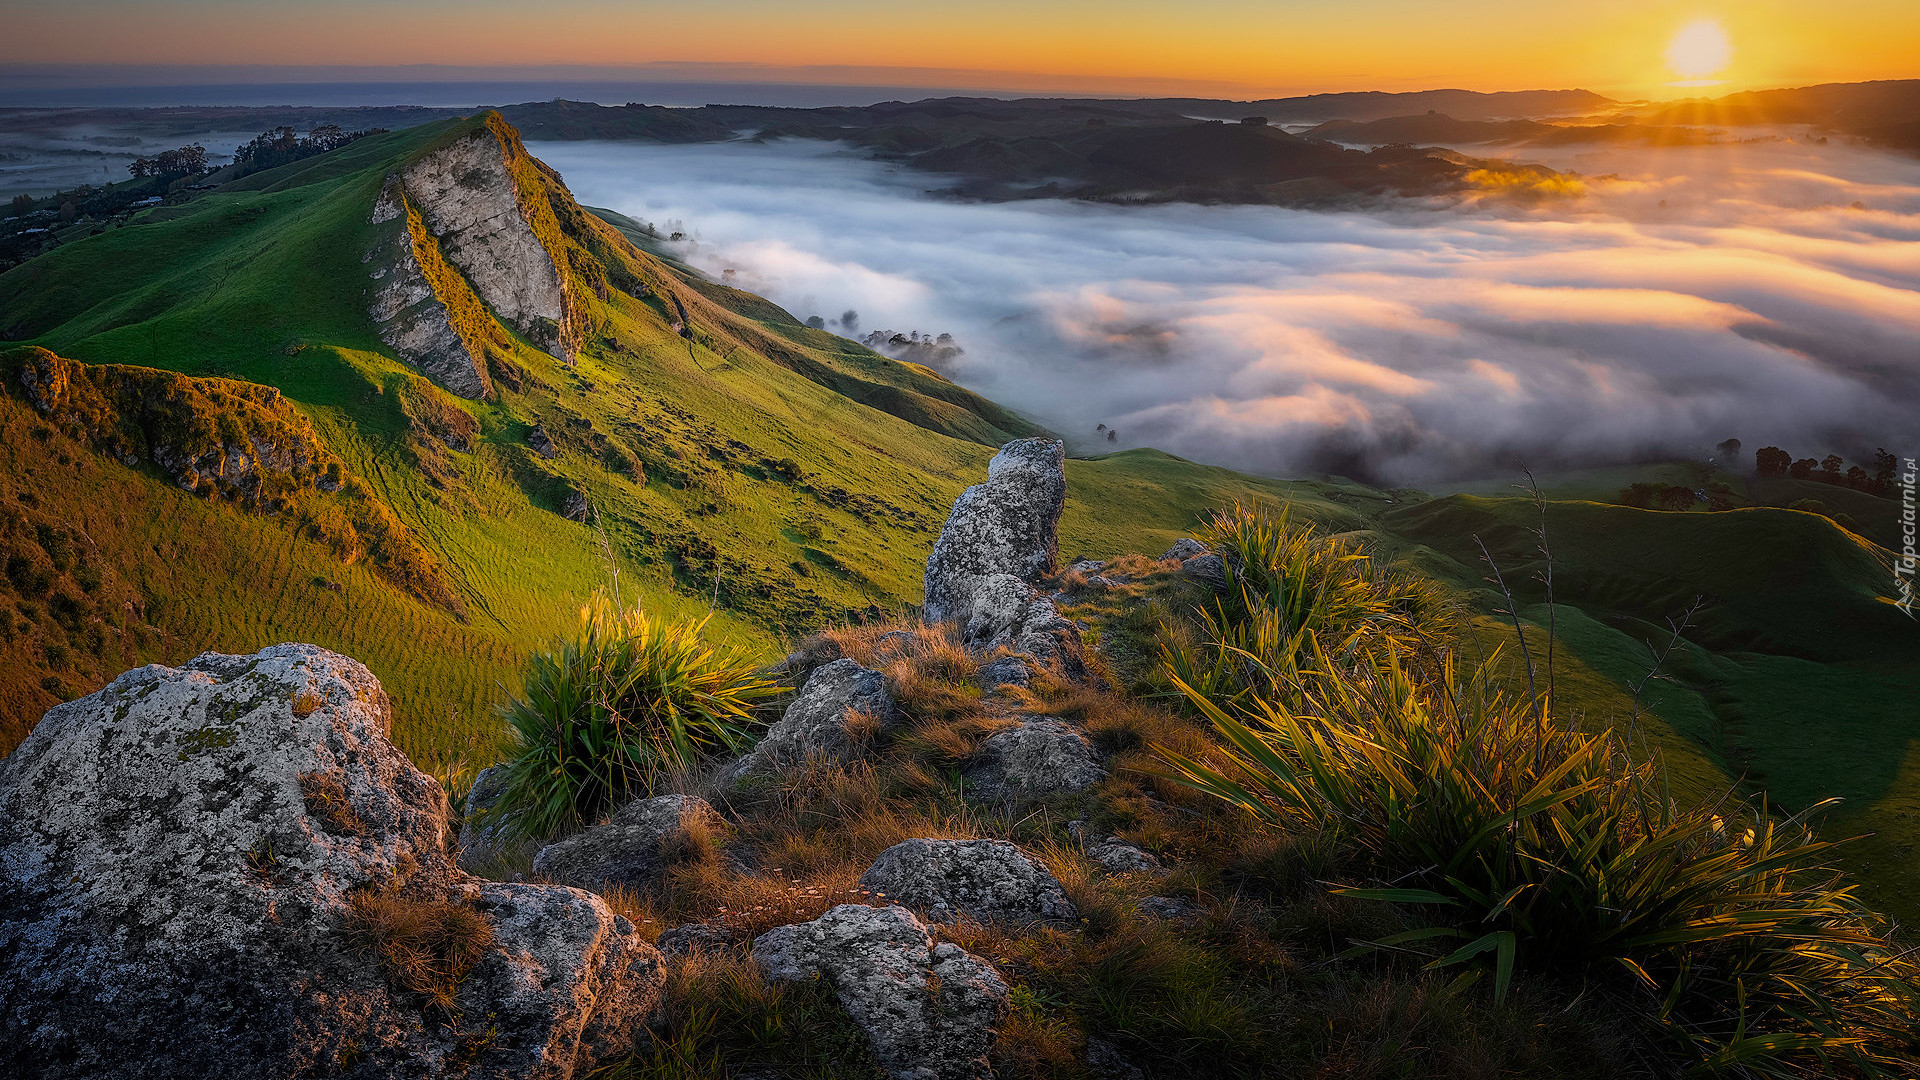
(782, 476)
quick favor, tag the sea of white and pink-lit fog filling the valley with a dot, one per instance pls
(1764, 291)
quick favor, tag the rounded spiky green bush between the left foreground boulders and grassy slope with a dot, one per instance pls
(613, 710)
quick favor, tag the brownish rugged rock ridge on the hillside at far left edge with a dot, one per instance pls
(216, 437)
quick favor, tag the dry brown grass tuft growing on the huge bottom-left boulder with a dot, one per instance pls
(425, 946)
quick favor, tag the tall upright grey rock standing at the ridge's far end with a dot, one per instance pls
(1001, 539)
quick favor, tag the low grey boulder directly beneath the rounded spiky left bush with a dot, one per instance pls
(635, 848)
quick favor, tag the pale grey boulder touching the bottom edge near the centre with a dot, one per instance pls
(930, 1012)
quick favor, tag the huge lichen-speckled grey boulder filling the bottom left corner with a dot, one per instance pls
(185, 887)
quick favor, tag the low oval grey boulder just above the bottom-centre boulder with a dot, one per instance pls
(986, 879)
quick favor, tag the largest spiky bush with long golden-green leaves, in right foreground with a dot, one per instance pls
(1527, 847)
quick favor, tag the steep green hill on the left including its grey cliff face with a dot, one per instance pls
(527, 395)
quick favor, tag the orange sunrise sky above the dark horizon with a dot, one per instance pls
(1149, 47)
